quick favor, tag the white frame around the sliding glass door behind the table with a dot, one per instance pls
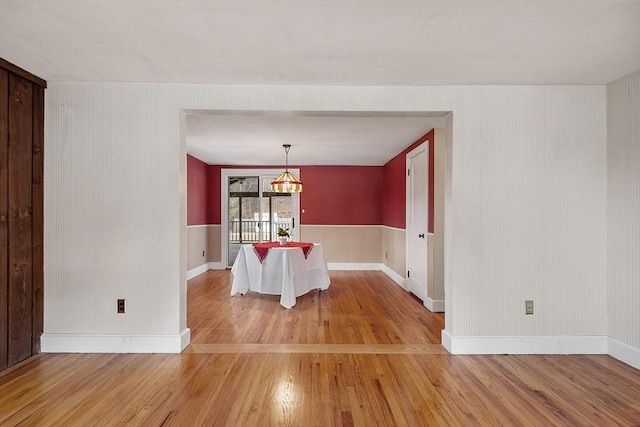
(227, 173)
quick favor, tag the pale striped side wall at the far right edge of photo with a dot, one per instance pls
(623, 160)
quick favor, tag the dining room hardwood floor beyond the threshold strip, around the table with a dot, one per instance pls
(360, 307)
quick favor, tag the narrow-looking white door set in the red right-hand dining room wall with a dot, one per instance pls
(417, 211)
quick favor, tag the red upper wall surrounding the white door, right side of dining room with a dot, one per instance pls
(394, 197)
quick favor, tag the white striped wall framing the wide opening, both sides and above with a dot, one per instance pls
(525, 207)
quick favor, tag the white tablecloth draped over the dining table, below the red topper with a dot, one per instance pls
(284, 272)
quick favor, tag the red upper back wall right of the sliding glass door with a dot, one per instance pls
(341, 195)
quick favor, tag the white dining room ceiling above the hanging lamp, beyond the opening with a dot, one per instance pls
(318, 138)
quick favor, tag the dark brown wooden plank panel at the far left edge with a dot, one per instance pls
(21, 213)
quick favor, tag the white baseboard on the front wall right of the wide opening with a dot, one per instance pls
(525, 345)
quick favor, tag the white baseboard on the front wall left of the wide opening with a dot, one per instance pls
(86, 343)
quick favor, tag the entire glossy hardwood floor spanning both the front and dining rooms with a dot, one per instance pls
(362, 353)
